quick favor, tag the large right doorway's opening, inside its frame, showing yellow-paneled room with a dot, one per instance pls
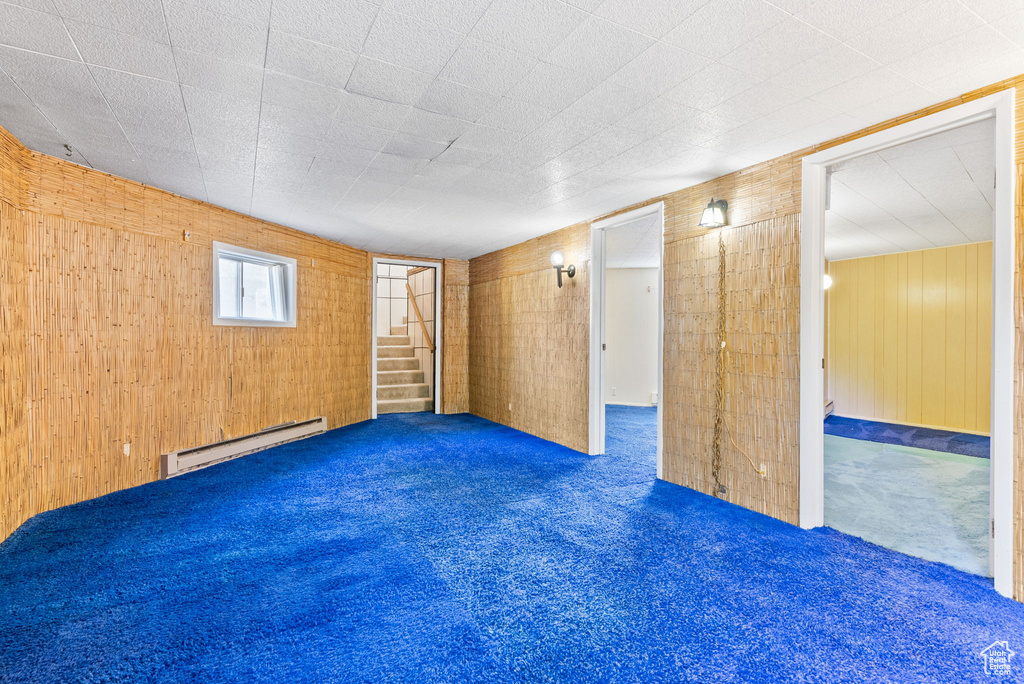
(909, 339)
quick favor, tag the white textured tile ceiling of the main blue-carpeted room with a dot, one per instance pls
(456, 127)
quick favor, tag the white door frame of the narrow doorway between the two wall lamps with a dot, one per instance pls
(598, 325)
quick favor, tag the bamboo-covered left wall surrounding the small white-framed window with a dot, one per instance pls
(108, 337)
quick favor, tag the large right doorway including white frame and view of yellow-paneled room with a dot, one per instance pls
(983, 502)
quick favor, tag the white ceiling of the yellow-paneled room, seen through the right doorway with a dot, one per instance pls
(936, 192)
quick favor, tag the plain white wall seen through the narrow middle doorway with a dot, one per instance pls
(631, 333)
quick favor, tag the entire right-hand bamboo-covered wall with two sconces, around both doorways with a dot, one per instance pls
(764, 209)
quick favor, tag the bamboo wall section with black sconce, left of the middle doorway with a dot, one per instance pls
(530, 340)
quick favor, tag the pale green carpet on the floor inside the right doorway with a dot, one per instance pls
(922, 503)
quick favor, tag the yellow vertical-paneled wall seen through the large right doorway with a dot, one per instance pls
(911, 337)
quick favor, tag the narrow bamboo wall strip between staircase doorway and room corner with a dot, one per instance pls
(455, 321)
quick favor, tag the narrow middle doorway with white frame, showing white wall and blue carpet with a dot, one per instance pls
(627, 332)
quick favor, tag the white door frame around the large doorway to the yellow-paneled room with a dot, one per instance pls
(1000, 106)
